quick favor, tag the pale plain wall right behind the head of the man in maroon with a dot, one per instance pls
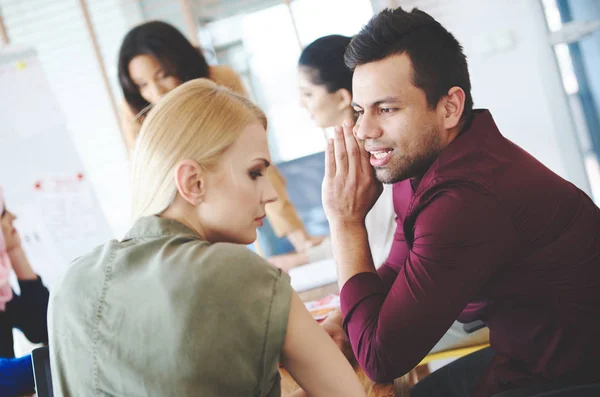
(515, 75)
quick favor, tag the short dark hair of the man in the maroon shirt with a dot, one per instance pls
(438, 61)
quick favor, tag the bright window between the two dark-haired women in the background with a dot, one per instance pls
(272, 47)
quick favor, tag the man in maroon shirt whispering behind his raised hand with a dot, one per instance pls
(484, 230)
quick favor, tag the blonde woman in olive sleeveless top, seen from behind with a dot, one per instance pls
(180, 307)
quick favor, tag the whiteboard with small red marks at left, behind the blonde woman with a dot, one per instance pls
(42, 175)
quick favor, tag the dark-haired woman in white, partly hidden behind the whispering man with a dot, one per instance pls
(325, 85)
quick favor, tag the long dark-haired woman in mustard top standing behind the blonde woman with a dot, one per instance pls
(154, 59)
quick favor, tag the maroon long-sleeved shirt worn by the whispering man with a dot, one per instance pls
(488, 233)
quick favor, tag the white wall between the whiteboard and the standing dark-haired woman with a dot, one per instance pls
(57, 31)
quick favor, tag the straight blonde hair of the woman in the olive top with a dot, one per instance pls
(199, 121)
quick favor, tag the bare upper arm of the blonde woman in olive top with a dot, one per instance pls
(313, 360)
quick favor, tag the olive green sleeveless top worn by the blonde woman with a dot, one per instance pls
(163, 313)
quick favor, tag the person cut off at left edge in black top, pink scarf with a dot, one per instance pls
(26, 312)
